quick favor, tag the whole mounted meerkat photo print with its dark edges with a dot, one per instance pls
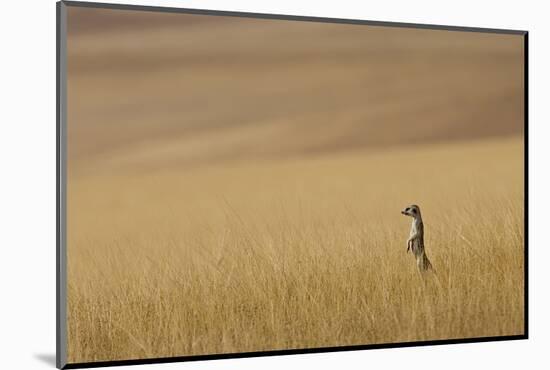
(236, 184)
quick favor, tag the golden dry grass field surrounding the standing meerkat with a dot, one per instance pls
(308, 252)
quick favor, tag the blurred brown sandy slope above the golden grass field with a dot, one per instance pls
(189, 89)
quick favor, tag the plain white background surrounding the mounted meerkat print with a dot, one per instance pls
(27, 182)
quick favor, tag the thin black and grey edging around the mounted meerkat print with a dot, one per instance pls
(61, 139)
